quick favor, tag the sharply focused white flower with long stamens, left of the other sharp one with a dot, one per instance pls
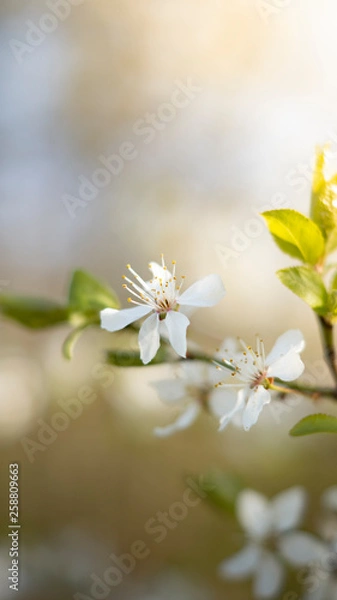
(161, 299)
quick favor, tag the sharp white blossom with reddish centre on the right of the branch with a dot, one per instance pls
(254, 374)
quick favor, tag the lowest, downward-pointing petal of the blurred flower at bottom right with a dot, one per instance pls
(269, 577)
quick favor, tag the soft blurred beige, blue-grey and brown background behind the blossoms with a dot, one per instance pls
(208, 113)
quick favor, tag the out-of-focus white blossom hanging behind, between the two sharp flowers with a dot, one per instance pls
(194, 390)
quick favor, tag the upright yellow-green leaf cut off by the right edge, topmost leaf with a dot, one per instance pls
(323, 202)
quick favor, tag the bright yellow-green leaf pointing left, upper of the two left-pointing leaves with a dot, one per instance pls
(296, 235)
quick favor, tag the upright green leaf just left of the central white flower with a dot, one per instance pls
(88, 295)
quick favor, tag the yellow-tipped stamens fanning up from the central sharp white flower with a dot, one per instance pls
(159, 293)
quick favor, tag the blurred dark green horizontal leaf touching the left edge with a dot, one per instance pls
(34, 313)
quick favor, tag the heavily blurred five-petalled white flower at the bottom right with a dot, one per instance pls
(269, 526)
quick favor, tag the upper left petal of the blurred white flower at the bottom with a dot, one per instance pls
(254, 514)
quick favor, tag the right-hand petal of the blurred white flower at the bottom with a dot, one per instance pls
(301, 548)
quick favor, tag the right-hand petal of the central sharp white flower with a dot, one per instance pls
(205, 292)
